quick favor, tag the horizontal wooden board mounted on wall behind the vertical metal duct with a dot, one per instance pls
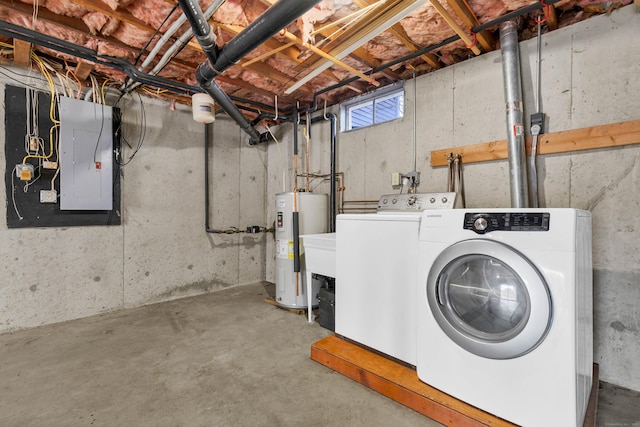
(590, 138)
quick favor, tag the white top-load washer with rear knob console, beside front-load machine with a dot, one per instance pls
(376, 262)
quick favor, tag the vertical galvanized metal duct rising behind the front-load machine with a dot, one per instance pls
(515, 125)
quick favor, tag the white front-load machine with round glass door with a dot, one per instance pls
(505, 311)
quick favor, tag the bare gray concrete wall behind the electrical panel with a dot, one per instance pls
(161, 251)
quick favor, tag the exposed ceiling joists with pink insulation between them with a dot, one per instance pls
(339, 49)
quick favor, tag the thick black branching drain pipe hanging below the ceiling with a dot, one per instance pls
(263, 28)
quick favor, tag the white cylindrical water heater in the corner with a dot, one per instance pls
(312, 214)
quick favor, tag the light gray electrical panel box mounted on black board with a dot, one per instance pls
(86, 155)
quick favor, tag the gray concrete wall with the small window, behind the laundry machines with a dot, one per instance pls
(589, 78)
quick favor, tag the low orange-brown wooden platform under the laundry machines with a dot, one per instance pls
(401, 383)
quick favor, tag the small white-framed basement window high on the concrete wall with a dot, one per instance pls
(376, 107)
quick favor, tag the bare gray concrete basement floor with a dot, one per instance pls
(221, 359)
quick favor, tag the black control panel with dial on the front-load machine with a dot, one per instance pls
(482, 223)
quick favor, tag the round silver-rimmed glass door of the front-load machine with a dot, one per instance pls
(489, 299)
